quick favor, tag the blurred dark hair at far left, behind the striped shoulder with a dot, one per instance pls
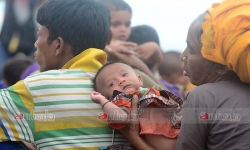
(13, 69)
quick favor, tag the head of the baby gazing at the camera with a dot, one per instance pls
(116, 76)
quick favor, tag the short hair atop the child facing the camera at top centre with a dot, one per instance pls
(115, 5)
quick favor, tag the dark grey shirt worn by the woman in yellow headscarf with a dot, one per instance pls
(216, 116)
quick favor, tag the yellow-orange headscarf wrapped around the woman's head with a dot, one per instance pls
(226, 36)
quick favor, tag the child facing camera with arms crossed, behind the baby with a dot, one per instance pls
(119, 48)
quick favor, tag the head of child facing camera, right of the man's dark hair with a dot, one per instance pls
(120, 13)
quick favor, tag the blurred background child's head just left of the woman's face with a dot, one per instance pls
(170, 69)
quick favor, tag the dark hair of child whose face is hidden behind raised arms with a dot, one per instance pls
(143, 34)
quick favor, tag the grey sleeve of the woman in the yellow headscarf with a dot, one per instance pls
(194, 125)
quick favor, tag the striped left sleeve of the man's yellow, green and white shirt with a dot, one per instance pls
(16, 107)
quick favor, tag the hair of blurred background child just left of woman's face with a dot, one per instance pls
(170, 64)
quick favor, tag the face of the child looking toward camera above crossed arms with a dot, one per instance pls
(120, 24)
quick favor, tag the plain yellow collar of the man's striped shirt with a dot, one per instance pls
(90, 60)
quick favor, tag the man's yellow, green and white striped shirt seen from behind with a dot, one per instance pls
(53, 109)
